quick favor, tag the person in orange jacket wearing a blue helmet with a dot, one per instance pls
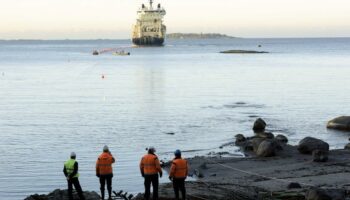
(178, 174)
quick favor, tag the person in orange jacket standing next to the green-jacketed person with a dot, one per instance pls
(104, 171)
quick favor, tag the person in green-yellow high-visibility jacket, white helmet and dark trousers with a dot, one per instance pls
(70, 170)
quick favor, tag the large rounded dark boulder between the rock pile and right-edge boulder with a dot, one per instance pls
(309, 144)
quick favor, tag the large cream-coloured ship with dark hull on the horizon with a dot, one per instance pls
(149, 29)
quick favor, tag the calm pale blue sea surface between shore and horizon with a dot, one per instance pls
(54, 101)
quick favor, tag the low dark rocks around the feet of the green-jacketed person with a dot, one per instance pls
(63, 195)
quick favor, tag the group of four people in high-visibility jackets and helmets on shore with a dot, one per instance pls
(149, 167)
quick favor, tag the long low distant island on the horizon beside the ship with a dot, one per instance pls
(198, 36)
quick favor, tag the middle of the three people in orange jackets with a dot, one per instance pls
(150, 167)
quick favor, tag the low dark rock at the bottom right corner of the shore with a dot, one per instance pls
(325, 194)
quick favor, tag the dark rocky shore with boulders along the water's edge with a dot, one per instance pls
(271, 169)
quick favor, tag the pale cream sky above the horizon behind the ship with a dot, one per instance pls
(113, 19)
